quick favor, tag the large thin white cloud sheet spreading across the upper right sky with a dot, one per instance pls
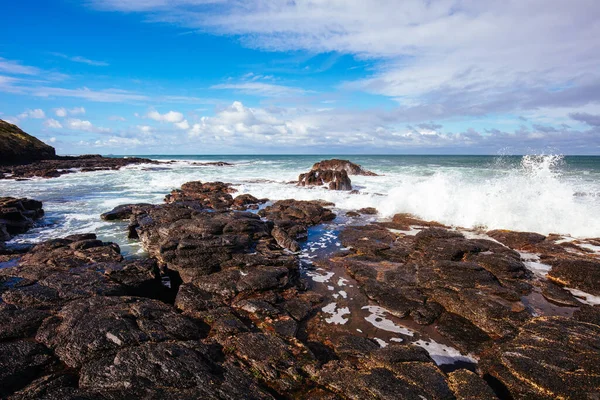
(466, 57)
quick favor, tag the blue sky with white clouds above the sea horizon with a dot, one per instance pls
(304, 76)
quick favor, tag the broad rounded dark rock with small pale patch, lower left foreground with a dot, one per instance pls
(91, 328)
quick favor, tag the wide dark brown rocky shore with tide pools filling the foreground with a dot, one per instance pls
(223, 309)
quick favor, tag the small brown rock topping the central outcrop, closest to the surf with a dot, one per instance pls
(215, 195)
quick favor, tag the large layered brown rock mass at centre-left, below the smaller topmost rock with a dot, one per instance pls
(196, 244)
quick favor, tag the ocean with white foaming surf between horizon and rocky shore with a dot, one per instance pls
(545, 193)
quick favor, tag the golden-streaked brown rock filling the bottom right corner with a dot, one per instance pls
(551, 357)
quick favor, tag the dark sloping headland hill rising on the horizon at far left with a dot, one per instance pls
(18, 147)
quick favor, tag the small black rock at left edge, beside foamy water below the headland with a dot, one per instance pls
(18, 216)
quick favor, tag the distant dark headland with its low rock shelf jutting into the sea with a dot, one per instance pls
(22, 156)
